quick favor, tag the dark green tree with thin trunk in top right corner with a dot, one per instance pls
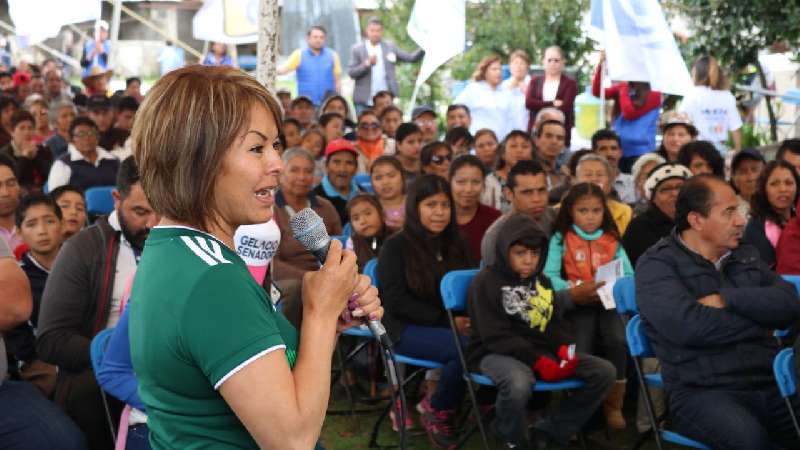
(734, 31)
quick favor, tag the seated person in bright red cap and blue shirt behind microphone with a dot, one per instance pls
(338, 186)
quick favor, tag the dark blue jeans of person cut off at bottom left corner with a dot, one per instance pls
(28, 420)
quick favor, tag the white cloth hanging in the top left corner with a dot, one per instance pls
(38, 20)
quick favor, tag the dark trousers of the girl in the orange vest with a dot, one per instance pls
(600, 329)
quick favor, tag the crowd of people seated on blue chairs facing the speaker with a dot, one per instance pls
(507, 197)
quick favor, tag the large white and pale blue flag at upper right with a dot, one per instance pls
(639, 44)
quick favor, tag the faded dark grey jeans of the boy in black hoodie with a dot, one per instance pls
(515, 380)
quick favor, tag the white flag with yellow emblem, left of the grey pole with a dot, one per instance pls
(227, 21)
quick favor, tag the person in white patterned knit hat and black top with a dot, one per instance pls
(661, 190)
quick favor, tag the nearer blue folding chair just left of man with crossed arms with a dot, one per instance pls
(639, 346)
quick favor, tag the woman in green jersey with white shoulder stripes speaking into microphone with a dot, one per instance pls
(218, 367)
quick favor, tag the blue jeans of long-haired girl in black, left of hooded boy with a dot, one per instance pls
(436, 344)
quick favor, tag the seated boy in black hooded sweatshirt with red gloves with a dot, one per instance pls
(519, 336)
